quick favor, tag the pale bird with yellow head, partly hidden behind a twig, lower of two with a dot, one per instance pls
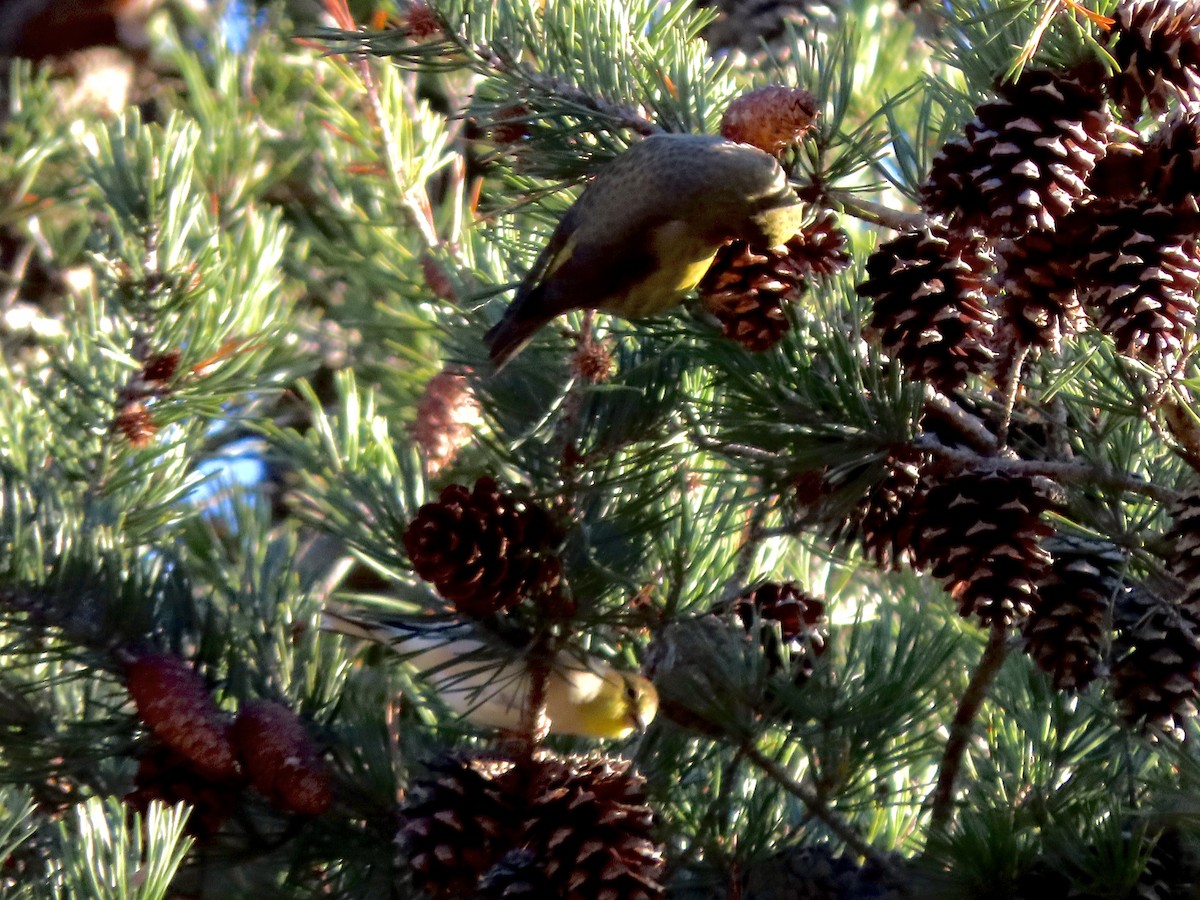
(587, 699)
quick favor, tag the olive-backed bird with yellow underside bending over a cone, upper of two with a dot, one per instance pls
(646, 230)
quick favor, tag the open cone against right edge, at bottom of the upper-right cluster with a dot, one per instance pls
(1142, 277)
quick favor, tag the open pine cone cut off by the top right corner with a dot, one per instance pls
(1157, 46)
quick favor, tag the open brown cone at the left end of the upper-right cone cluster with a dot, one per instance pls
(931, 299)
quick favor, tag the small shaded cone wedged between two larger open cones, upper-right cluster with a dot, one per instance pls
(1040, 278)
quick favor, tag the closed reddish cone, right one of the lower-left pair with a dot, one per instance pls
(281, 759)
